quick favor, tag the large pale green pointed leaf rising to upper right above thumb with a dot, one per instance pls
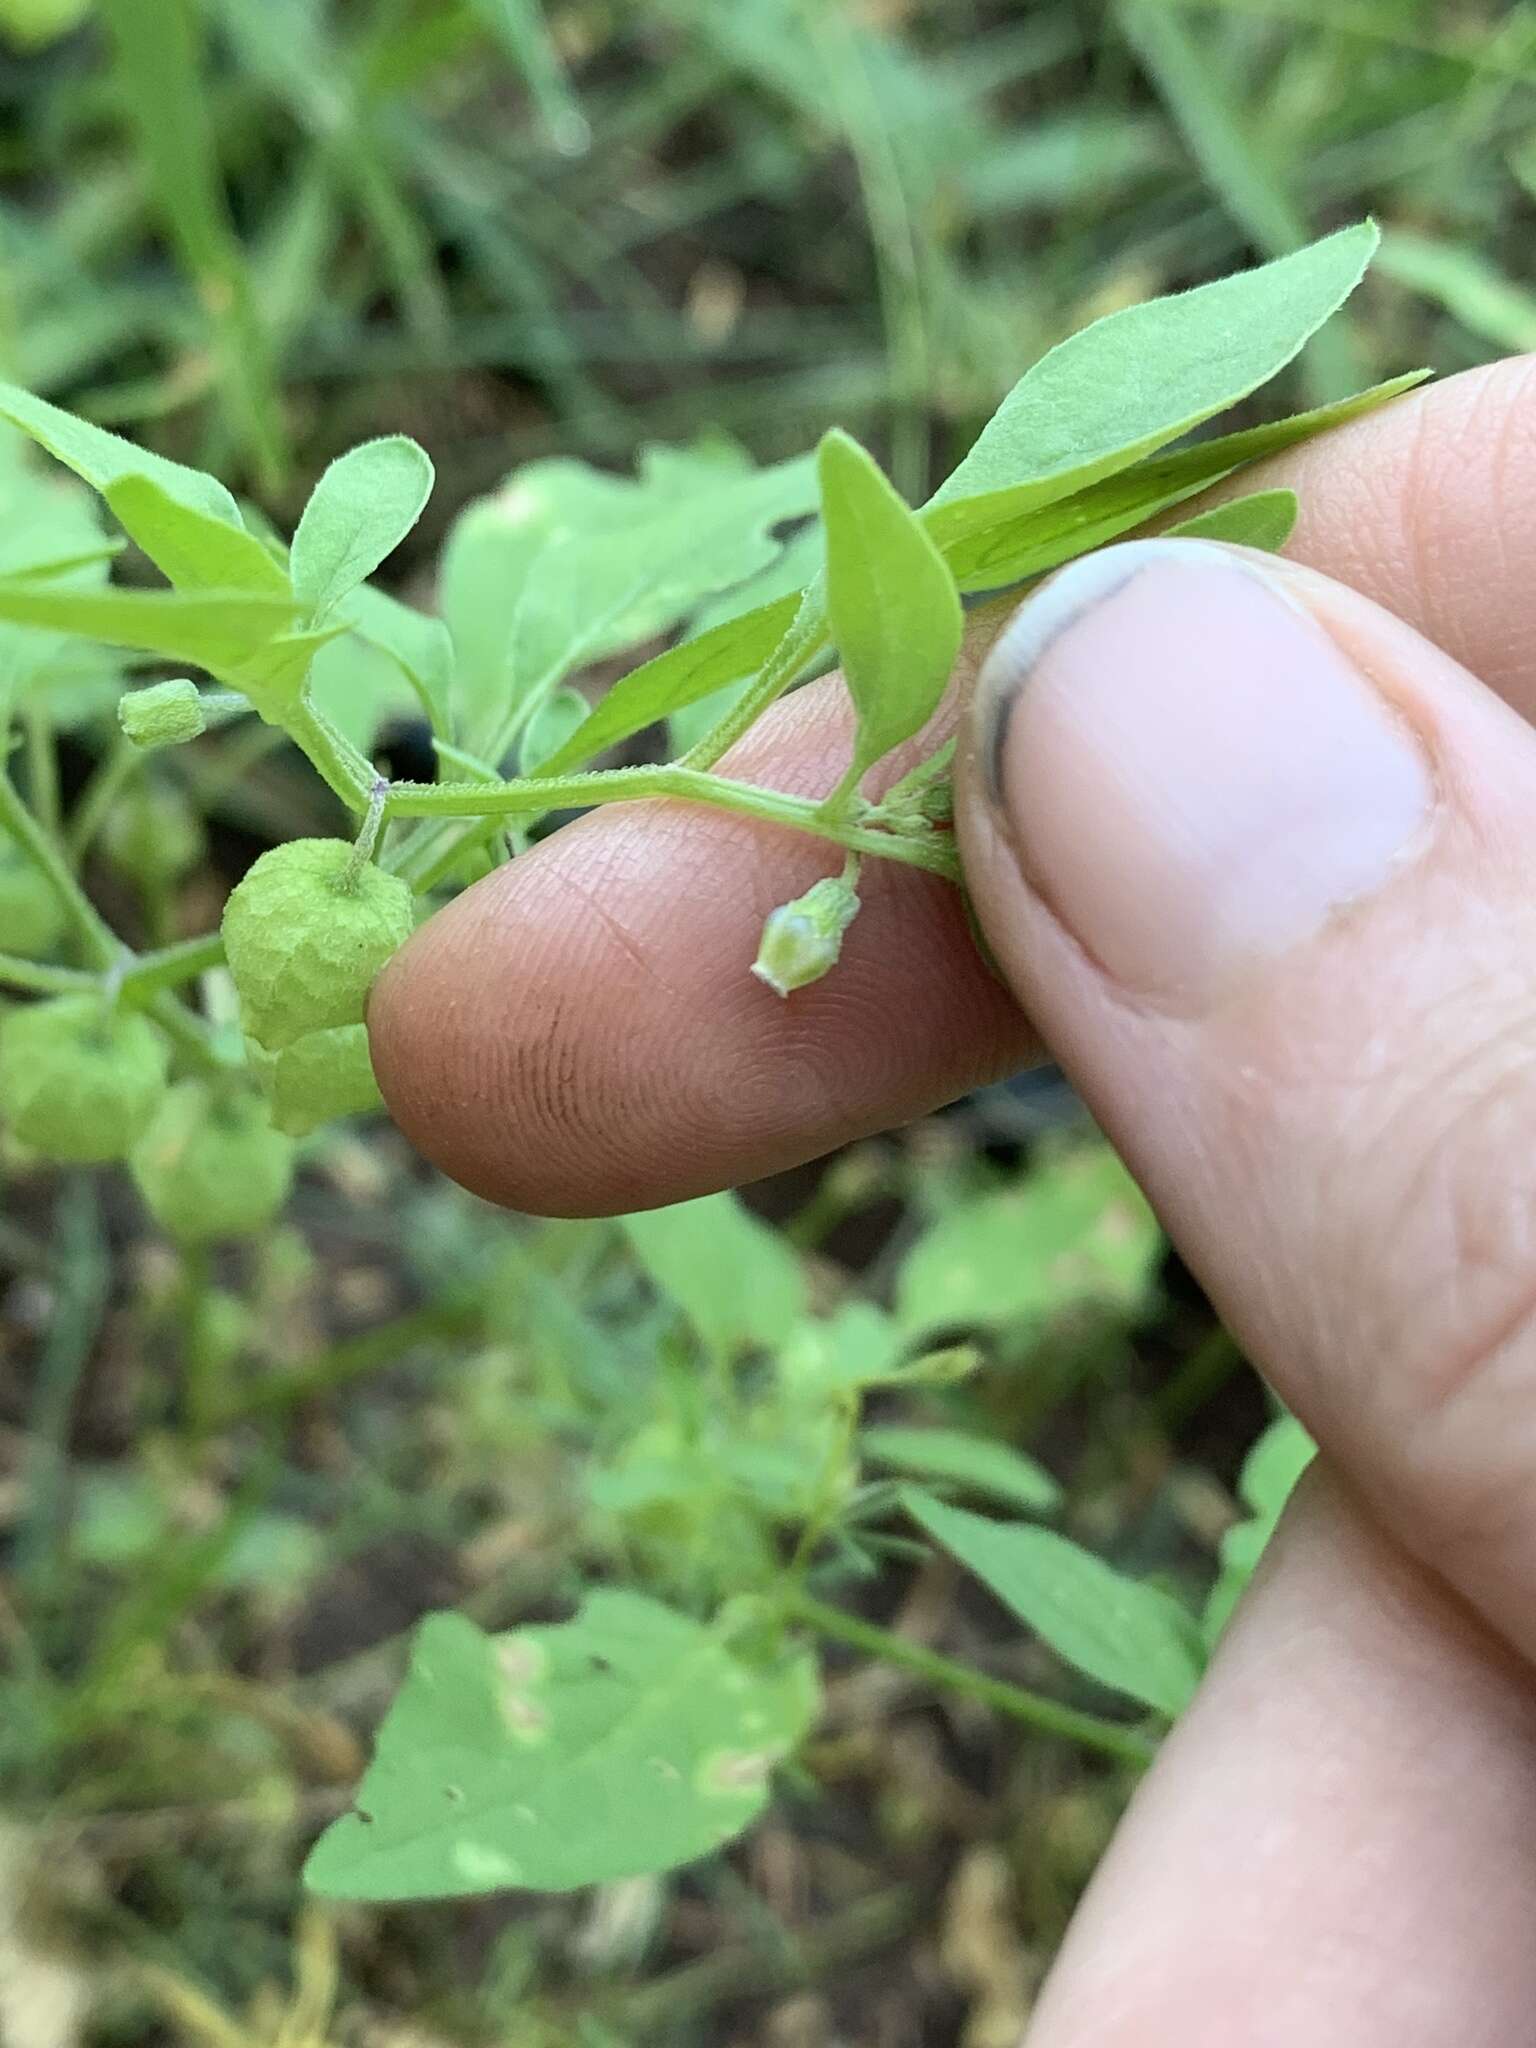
(1138, 380)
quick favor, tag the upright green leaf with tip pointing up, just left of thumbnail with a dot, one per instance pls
(892, 603)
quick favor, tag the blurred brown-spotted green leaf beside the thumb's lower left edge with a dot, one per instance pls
(1074, 1234)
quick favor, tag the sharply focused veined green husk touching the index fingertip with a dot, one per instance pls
(306, 933)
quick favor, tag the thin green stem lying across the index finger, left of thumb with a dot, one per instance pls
(534, 796)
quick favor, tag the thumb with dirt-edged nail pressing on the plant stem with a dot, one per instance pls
(1261, 865)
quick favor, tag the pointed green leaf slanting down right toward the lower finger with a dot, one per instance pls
(1117, 1631)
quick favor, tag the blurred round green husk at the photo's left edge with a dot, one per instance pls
(77, 1080)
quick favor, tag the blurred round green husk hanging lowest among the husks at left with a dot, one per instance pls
(210, 1164)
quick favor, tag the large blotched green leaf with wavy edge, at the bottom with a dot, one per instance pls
(626, 1742)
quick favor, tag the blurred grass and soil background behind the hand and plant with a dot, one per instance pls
(253, 232)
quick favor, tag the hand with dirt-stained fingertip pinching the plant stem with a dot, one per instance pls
(1258, 859)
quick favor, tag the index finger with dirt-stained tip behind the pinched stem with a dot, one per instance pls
(581, 1035)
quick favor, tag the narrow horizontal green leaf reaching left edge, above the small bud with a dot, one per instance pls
(206, 632)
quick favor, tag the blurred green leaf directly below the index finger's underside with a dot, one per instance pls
(734, 1277)
